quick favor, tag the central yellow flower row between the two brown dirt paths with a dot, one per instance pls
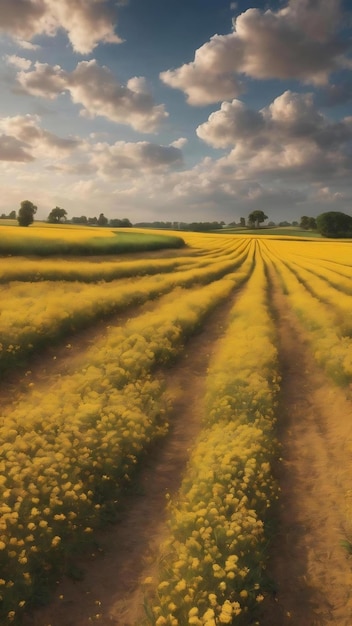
(212, 569)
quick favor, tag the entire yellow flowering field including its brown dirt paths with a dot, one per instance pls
(176, 435)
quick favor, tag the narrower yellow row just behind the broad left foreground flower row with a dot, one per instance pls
(35, 314)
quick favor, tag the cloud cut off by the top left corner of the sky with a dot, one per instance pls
(86, 22)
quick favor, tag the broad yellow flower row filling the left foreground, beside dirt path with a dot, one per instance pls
(68, 451)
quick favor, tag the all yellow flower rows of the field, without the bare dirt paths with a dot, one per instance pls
(70, 449)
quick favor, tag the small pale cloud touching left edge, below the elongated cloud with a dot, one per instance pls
(27, 140)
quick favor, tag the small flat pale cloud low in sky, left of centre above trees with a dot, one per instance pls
(123, 158)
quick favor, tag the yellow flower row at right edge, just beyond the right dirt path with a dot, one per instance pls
(324, 331)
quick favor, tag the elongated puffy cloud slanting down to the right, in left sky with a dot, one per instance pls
(99, 92)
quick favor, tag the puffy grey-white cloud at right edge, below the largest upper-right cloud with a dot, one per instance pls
(289, 137)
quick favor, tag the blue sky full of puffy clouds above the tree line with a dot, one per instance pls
(176, 110)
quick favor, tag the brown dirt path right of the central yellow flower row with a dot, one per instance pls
(312, 570)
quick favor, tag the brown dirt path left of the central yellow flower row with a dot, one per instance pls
(110, 593)
